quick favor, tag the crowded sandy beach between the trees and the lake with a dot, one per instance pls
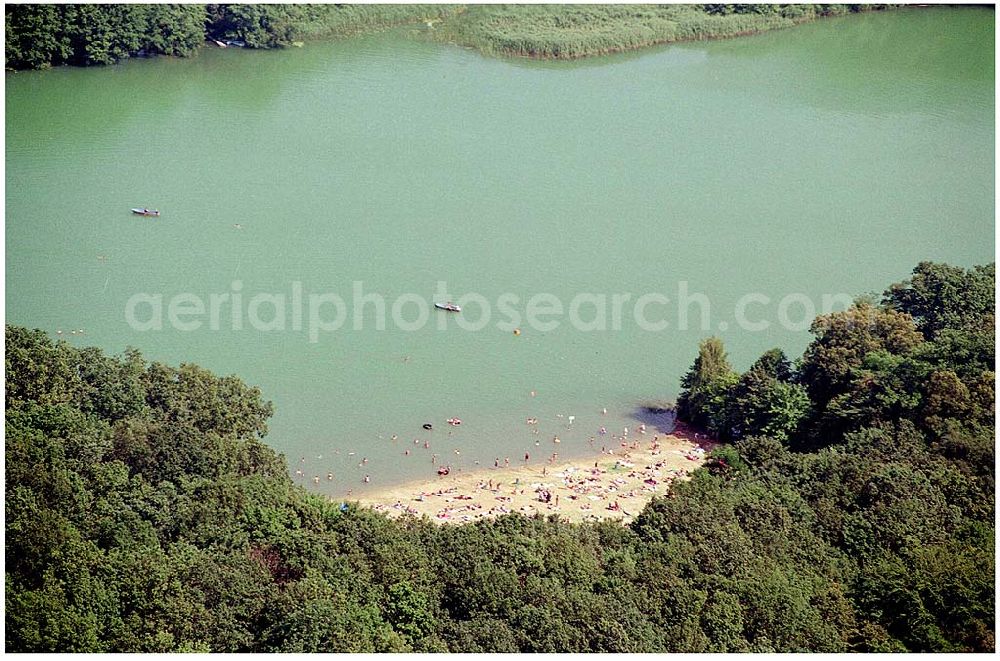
(615, 484)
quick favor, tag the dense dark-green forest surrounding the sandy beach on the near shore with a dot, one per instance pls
(853, 510)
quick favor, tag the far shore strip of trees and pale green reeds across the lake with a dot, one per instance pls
(44, 35)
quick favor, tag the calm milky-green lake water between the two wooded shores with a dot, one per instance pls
(829, 158)
